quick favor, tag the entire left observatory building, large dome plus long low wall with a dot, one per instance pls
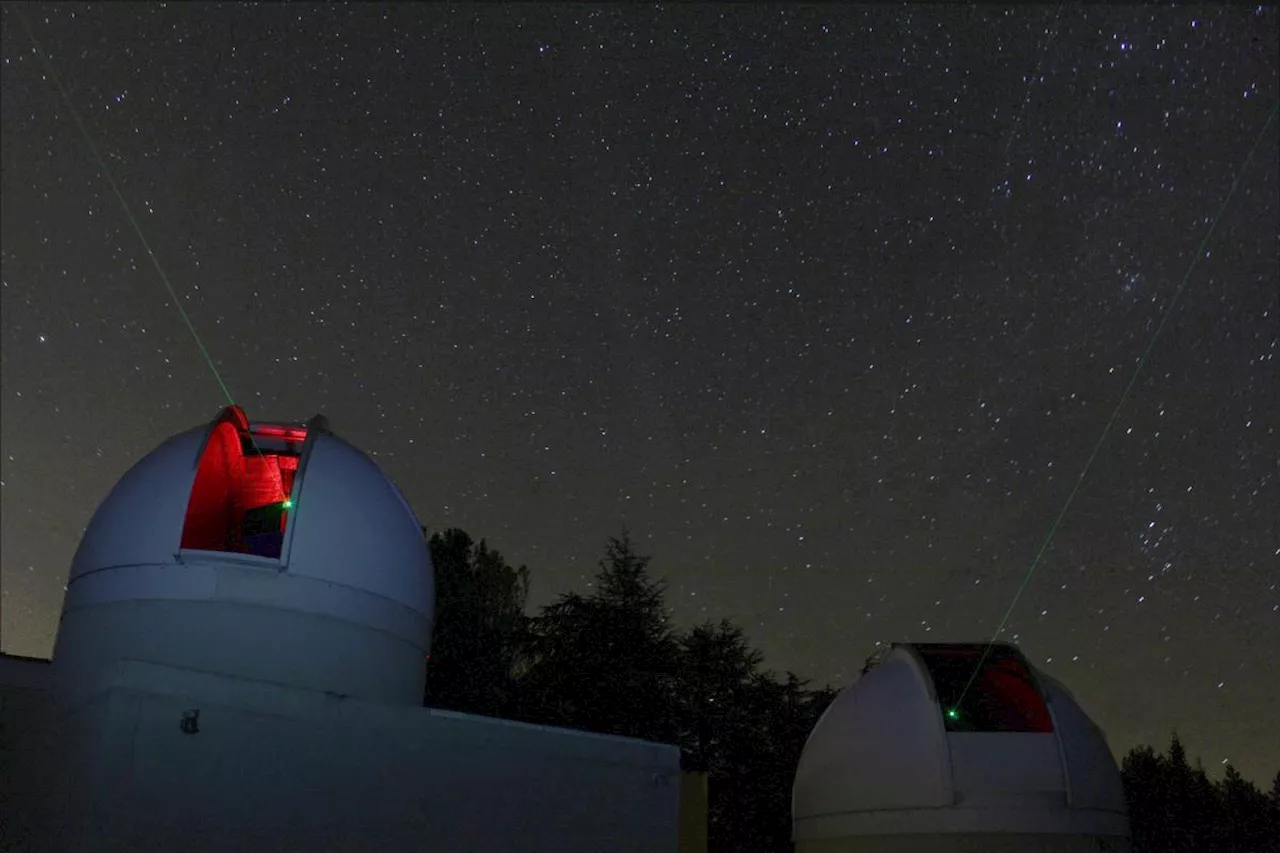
(240, 667)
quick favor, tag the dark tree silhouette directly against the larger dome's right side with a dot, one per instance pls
(481, 626)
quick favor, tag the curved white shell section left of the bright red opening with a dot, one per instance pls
(140, 523)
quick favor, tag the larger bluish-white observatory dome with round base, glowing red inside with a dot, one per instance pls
(275, 553)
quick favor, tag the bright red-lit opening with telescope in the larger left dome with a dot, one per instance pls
(240, 500)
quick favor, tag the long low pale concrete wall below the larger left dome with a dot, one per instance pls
(277, 769)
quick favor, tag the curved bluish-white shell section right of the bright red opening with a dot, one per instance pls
(353, 527)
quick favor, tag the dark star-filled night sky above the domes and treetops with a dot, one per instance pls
(829, 305)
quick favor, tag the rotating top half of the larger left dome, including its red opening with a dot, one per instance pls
(291, 499)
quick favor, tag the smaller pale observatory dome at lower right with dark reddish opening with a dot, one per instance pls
(954, 747)
